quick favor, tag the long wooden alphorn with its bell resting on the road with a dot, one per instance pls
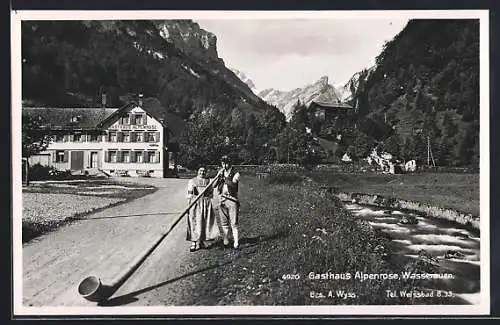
(92, 289)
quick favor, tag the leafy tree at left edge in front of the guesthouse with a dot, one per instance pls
(34, 139)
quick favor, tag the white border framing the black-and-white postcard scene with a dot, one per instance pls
(481, 309)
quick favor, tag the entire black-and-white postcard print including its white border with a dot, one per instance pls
(239, 163)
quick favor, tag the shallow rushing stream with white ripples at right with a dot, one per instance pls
(450, 247)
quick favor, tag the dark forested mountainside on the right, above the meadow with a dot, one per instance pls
(425, 85)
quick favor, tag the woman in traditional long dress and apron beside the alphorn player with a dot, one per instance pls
(201, 226)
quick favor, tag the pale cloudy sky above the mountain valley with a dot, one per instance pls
(286, 54)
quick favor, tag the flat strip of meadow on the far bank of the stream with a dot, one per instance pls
(445, 190)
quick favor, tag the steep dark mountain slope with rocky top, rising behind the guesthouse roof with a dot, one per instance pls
(175, 61)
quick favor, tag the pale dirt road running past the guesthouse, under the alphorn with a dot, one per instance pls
(104, 243)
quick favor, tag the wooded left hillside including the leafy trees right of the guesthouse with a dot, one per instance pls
(173, 63)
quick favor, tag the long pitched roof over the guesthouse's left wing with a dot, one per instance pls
(68, 118)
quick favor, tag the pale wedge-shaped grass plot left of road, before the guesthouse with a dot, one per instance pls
(48, 206)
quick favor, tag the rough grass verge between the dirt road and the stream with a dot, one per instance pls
(289, 230)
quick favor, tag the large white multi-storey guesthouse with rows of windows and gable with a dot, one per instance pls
(127, 141)
